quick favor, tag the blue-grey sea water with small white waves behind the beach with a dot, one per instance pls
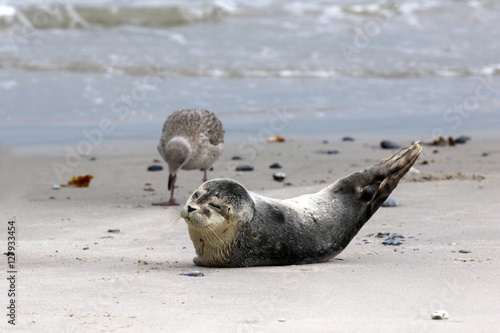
(421, 68)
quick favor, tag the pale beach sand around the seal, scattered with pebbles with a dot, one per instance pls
(75, 276)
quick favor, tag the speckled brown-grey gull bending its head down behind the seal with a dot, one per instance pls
(191, 139)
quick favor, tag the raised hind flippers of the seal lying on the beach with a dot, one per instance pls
(381, 179)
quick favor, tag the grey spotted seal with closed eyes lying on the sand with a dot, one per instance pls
(232, 227)
